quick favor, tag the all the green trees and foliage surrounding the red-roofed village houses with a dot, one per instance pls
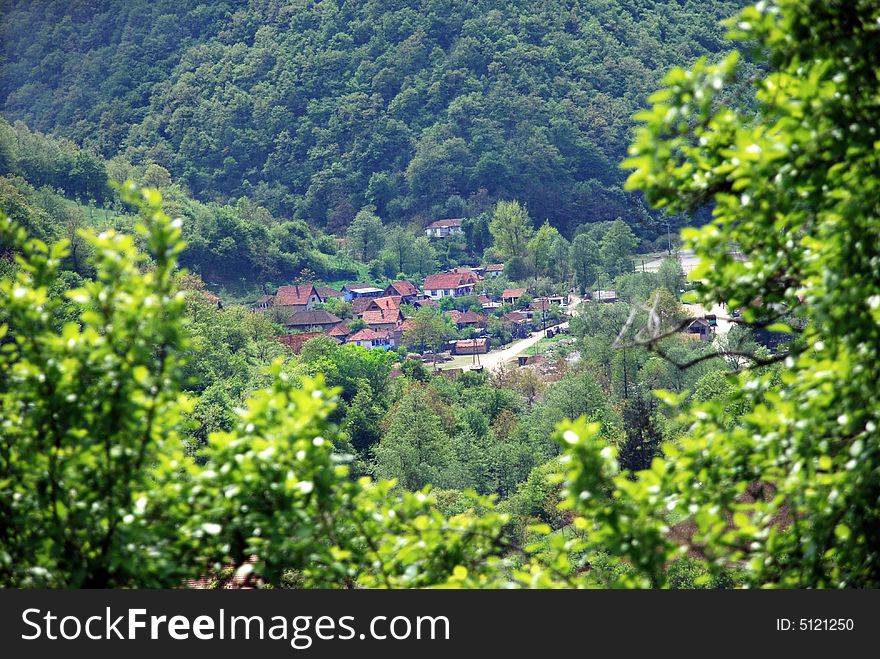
(153, 434)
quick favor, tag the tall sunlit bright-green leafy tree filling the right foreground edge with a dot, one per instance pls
(789, 490)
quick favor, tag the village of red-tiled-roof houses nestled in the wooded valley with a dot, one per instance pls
(452, 321)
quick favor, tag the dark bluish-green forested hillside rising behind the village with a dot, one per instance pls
(316, 109)
